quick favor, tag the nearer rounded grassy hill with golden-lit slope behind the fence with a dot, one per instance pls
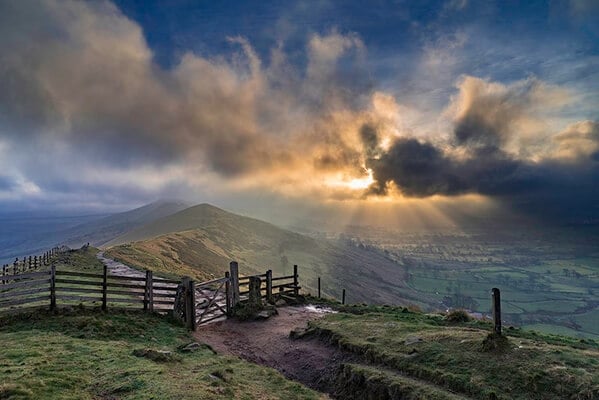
(200, 241)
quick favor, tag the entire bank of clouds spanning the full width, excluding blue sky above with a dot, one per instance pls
(85, 109)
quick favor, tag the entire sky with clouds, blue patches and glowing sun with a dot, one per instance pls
(394, 111)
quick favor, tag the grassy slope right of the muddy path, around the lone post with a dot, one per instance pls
(447, 359)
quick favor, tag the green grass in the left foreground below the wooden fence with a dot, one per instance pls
(89, 355)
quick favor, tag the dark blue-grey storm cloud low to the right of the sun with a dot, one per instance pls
(553, 188)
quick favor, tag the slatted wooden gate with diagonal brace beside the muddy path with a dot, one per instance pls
(212, 300)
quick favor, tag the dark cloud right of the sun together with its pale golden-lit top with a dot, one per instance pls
(484, 154)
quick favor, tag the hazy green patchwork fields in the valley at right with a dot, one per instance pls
(549, 280)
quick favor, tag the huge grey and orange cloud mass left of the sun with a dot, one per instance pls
(81, 75)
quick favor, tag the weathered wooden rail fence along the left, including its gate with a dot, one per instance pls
(194, 303)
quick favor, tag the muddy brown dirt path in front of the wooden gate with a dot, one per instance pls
(267, 342)
